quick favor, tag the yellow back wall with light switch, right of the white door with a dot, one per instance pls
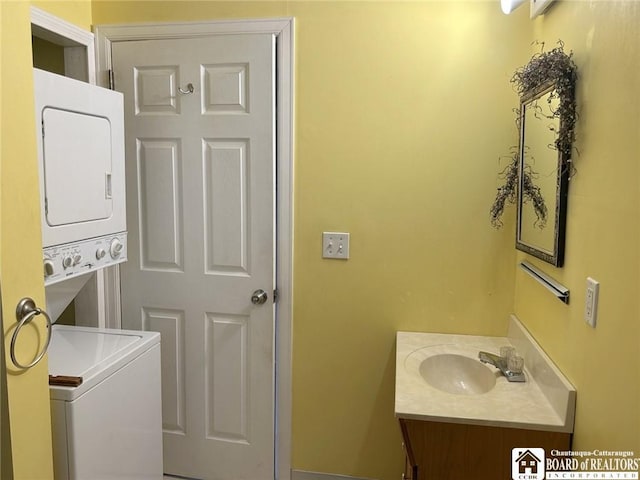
(402, 110)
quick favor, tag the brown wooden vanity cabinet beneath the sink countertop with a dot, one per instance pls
(454, 451)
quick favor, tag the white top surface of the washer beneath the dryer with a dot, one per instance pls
(93, 354)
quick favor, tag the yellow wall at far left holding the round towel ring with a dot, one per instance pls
(20, 239)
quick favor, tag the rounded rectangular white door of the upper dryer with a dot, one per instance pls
(77, 157)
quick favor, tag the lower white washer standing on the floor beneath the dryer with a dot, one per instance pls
(110, 426)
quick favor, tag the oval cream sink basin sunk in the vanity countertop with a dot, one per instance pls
(456, 373)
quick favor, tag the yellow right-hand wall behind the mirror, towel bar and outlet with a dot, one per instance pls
(603, 236)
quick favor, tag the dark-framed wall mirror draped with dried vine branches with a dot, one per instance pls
(541, 165)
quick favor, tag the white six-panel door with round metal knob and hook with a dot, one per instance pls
(200, 147)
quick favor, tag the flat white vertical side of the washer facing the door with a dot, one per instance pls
(115, 429)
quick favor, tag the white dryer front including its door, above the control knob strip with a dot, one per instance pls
(81, 159)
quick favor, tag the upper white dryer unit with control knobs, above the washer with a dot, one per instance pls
(80, 144)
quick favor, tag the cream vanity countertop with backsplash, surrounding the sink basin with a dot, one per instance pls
(546, 401)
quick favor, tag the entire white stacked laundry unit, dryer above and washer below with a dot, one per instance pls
(105, 384)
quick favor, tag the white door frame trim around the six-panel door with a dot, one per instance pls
(282, 28)
